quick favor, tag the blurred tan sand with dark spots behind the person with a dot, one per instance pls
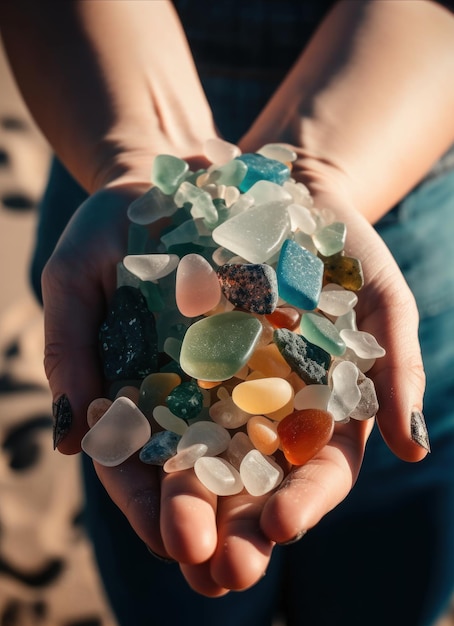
(47, 572)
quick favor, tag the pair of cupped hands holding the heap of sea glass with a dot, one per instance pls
(223, 543)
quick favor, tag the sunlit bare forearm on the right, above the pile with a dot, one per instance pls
(370, 101)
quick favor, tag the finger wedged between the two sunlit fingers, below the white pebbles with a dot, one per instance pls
(243, 551)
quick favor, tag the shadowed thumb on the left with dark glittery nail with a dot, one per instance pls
(78, 282)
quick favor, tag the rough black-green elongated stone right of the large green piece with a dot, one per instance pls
(309, 361)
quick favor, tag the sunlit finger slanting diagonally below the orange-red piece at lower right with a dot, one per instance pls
(314, 489)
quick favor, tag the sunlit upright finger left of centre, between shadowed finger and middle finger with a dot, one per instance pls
(188, 518)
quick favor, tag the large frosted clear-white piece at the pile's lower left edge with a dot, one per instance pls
(121, 431)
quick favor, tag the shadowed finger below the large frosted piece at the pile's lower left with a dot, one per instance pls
(135, 488)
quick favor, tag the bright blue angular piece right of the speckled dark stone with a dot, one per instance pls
(299, 276)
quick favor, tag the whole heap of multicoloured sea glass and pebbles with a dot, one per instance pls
(232, 339)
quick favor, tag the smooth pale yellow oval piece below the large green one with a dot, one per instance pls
(262, 396)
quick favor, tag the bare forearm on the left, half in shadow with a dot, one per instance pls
(107, 81)
